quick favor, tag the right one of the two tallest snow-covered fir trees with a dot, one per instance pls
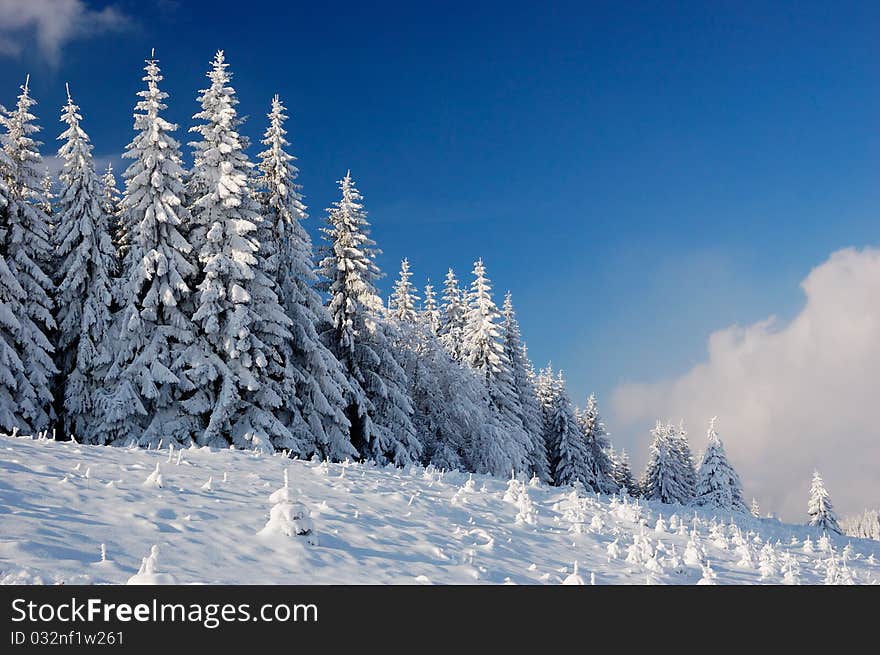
(242, 329)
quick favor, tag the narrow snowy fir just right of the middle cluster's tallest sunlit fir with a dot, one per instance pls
(521, 376)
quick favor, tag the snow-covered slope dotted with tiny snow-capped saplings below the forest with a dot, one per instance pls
(59, 501)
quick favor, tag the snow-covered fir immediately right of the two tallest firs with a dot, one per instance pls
(321, 387)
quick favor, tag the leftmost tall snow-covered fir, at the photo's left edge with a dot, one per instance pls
(26, 249)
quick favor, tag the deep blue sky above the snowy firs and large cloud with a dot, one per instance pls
(638, 176)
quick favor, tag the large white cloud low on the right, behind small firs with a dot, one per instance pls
(790, 397)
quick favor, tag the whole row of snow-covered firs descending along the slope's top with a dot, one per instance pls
(188, 306)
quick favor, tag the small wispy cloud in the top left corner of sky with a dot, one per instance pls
(51, 24)
